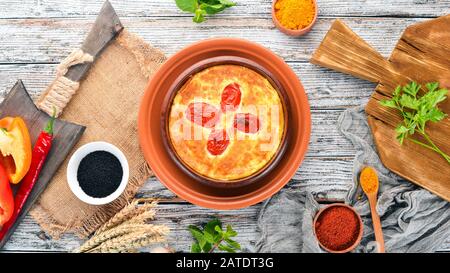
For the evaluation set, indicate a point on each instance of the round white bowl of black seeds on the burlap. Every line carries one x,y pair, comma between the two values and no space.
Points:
98,173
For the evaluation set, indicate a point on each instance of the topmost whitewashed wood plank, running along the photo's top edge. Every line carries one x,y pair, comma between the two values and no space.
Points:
140,8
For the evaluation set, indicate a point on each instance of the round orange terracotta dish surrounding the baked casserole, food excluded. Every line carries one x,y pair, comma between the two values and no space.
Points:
151,125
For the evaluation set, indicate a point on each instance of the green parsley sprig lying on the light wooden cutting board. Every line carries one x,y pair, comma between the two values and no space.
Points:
417,111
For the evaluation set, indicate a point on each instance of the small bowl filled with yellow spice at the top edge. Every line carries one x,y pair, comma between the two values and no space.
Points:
294,17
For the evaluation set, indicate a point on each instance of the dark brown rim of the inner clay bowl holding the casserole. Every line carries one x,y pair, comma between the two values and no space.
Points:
179,83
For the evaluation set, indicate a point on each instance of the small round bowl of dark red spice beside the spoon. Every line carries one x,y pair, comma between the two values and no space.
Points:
338,228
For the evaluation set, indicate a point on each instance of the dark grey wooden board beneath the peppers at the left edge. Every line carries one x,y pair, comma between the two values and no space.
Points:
66,135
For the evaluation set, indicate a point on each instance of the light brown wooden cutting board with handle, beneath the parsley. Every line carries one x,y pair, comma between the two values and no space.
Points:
422,54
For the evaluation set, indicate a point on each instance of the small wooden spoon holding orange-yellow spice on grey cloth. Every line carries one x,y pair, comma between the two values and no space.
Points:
371,191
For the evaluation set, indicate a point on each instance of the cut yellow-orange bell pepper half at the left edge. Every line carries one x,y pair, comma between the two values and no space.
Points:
15,148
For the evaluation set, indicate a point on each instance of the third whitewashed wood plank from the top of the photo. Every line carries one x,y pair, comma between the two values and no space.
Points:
326,89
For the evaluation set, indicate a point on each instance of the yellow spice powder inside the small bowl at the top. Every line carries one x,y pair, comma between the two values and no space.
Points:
295,14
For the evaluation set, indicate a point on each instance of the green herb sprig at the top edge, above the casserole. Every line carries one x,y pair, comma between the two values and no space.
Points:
201,8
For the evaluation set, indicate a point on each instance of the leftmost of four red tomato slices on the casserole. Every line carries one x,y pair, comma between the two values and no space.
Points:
203,114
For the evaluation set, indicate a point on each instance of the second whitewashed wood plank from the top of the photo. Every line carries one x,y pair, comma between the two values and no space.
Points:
51,40
